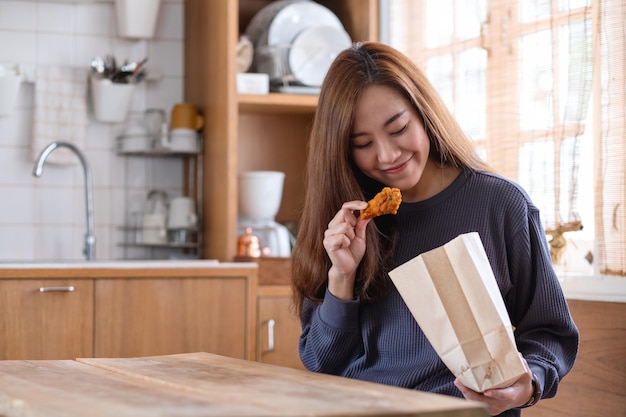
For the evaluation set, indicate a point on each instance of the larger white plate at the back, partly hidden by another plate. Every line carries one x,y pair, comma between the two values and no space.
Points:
294,17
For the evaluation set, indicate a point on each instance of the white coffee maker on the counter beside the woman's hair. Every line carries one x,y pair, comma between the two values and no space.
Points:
260,195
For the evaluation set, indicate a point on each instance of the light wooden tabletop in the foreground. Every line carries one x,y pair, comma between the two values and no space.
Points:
203,384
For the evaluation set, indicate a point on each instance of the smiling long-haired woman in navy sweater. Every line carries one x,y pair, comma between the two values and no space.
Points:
379,122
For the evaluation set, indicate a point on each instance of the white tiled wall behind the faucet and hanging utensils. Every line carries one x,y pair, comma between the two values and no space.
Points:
44,218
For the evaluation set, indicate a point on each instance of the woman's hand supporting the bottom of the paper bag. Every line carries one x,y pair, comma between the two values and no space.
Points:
498,400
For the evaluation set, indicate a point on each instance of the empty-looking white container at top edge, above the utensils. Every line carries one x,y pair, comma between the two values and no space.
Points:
137,18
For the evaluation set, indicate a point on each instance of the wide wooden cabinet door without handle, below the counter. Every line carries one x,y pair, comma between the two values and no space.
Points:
146,317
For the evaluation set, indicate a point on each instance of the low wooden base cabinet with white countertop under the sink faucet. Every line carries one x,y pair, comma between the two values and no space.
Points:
126,309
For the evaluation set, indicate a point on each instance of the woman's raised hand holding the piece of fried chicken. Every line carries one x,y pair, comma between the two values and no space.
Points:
344,241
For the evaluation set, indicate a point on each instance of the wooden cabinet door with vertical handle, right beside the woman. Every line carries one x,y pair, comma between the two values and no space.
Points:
278,330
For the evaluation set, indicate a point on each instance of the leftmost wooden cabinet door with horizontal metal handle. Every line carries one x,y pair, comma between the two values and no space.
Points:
46,319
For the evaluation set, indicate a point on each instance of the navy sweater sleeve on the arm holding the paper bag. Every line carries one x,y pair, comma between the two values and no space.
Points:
544,330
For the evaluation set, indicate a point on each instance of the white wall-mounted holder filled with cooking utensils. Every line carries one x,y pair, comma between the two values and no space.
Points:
110,100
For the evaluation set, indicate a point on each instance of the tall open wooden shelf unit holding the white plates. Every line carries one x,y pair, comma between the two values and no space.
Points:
248,132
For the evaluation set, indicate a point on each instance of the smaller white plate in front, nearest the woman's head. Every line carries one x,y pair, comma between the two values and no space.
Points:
314,50
